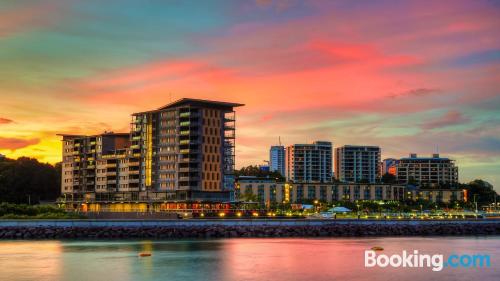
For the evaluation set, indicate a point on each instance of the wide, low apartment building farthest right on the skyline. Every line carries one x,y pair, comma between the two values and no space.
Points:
427,170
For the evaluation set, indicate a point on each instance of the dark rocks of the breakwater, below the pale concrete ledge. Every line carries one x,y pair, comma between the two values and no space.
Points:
229,231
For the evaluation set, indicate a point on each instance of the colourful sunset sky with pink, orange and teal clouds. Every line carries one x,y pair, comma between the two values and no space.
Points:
409,76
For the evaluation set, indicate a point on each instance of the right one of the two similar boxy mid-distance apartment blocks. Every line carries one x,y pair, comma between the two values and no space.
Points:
357,163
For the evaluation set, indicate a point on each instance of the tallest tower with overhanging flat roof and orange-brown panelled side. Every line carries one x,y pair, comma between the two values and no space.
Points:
187,149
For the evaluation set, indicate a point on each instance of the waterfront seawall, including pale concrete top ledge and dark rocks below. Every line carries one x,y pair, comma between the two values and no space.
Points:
178,229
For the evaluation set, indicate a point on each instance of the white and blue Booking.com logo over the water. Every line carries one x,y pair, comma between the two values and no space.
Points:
417,260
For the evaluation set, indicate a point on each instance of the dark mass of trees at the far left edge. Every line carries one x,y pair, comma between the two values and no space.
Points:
26,180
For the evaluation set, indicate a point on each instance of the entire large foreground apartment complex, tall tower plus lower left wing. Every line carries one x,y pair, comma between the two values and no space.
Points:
184,150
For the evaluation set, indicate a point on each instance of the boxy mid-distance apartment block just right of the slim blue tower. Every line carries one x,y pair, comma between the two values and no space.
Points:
309,162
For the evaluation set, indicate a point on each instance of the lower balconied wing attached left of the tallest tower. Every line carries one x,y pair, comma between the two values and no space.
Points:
99,163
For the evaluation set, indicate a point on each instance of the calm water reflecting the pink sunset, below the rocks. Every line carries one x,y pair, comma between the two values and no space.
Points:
234,259
